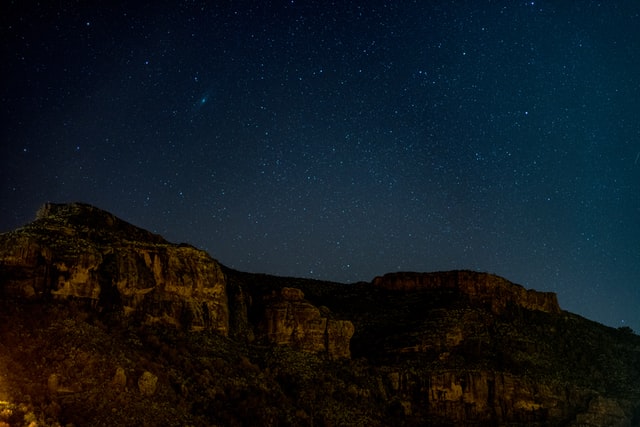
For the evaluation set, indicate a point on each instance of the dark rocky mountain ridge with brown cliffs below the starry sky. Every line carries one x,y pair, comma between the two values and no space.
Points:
104,323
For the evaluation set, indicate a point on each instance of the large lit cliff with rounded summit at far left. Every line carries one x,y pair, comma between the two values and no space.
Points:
76,251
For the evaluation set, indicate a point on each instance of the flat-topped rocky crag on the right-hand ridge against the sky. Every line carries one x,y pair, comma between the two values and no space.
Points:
484,288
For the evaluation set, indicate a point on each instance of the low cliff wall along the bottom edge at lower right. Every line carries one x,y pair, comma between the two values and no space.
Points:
484,397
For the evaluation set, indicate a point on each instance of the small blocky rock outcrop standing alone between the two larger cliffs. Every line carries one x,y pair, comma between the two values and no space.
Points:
291,320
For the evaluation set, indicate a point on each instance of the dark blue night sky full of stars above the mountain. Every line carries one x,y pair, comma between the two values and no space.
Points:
344,140
